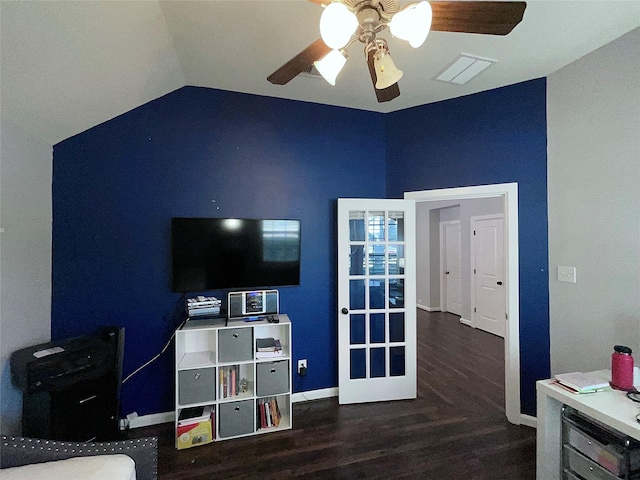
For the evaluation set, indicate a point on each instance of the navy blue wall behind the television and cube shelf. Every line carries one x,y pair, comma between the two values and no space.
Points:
203,153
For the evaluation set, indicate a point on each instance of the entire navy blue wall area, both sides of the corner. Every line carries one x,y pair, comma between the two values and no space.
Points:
204,152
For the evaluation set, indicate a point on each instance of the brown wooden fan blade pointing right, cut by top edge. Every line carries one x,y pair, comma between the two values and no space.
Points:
489,18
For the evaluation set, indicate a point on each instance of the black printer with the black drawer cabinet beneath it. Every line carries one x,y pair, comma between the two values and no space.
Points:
71,387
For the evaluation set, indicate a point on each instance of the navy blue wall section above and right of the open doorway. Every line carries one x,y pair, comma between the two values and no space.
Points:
499,136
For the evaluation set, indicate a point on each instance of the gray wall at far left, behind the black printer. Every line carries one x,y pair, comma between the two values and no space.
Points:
25,256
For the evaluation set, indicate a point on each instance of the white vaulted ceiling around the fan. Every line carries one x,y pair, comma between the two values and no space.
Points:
67,66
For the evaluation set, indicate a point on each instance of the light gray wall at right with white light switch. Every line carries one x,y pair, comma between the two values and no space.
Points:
593,110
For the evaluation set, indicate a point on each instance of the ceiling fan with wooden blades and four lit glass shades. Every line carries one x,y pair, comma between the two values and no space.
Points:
344,22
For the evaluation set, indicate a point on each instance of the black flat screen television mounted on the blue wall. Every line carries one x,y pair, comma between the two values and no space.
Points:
233,253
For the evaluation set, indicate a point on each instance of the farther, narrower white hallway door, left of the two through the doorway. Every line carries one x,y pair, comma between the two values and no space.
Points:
451,267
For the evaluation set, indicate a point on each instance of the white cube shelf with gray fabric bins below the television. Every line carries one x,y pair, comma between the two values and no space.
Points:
225,388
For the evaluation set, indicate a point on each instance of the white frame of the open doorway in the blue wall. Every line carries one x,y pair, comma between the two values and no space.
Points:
509,193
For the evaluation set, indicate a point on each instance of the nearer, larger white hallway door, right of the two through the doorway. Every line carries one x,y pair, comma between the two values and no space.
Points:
488,283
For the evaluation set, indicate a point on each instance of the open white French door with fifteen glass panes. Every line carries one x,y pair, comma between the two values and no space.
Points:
376,300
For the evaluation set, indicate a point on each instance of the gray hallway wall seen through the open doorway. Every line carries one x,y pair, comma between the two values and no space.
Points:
428,218
